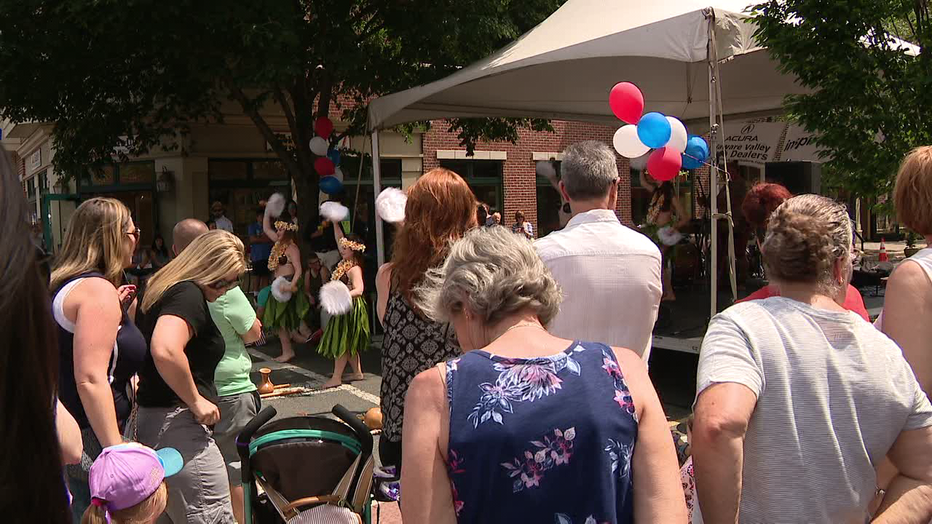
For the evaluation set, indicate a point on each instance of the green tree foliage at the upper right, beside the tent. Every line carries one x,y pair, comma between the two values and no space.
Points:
871,100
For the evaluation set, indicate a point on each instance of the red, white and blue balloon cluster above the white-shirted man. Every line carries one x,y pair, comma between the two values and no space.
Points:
673,148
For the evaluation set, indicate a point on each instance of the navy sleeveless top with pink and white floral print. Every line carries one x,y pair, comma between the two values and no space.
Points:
546,439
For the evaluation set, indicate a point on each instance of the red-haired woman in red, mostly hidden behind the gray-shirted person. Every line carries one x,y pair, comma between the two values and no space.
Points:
758,205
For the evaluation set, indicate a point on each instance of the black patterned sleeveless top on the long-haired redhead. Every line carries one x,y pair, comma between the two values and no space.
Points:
411,344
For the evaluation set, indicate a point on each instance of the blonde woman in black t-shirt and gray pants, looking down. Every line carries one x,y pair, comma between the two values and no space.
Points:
177,395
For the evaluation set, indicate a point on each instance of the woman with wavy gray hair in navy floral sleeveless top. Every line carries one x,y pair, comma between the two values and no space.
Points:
525,426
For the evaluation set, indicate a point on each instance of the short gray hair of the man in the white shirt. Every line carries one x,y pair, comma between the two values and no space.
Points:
588,170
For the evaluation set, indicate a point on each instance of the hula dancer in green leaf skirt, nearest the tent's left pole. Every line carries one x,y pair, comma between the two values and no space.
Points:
347,333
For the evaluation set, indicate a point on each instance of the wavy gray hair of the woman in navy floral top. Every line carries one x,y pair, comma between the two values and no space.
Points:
493,273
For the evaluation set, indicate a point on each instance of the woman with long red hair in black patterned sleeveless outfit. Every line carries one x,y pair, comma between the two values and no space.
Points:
440,209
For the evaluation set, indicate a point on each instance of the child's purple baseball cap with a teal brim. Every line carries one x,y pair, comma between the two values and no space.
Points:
127,474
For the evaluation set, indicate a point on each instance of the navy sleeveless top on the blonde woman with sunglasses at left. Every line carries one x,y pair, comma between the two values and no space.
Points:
129,353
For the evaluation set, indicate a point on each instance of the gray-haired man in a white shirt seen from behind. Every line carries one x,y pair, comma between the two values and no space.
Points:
610,274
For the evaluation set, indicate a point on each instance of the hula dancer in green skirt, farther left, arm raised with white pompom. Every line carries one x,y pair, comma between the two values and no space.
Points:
286,307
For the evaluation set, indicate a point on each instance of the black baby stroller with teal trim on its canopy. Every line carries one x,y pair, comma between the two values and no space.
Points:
311,469
